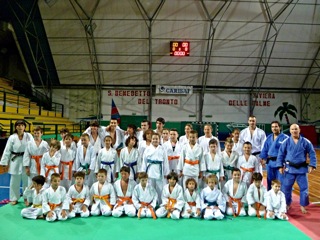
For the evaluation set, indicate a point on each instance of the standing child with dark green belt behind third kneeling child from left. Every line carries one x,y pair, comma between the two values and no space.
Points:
85,159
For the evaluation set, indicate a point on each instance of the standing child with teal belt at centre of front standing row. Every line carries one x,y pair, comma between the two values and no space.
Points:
155,163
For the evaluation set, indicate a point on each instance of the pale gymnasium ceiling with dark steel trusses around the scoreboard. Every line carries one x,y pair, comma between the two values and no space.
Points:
249,44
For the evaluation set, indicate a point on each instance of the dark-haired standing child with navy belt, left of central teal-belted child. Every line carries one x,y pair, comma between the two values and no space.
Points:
130,157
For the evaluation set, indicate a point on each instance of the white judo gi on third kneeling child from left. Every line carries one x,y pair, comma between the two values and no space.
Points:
77,200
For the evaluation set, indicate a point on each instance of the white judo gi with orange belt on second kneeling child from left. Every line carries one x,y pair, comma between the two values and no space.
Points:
56,201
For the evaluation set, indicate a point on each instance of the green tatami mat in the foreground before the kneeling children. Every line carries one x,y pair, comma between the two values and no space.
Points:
13,226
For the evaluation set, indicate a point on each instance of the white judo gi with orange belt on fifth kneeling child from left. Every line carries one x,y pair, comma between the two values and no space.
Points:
124,203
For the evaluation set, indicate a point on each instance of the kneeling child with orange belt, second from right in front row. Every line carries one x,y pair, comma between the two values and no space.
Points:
256,197
